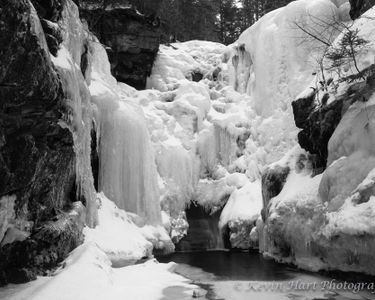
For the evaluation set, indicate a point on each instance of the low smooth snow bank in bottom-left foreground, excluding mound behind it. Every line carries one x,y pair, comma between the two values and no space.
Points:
87,274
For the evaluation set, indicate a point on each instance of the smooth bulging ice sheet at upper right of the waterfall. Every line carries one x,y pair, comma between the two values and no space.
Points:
274,59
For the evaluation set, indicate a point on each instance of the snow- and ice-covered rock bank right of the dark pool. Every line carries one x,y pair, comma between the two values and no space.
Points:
326,221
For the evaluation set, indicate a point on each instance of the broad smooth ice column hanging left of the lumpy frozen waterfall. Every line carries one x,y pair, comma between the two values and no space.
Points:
127,171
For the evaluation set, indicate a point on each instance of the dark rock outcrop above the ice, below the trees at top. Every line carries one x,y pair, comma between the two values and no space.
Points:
132,40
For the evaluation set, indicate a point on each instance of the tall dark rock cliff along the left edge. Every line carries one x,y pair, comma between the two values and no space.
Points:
43,220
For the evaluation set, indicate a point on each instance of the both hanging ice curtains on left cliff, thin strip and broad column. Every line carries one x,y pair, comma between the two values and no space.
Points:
127,168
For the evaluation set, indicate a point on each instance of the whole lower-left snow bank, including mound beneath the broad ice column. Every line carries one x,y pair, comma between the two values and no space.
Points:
99,268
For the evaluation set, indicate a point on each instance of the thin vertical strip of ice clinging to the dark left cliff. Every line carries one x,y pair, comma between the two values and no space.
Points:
75,87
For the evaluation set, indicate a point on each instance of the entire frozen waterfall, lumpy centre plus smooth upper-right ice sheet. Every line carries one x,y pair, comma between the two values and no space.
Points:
237,118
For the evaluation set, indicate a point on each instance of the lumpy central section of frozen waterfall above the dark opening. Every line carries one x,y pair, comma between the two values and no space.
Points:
200,129
